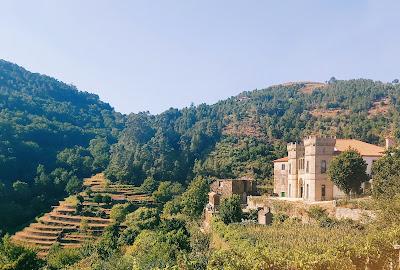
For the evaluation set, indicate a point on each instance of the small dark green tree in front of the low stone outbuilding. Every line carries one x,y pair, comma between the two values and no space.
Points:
231,210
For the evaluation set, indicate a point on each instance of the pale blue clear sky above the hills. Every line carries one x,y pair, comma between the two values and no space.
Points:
152,55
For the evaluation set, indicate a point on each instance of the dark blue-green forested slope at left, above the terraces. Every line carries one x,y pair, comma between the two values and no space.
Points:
51,135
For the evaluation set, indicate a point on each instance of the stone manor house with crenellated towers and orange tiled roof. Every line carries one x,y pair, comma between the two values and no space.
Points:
303,173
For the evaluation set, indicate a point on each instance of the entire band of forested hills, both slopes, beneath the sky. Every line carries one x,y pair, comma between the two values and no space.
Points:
52,135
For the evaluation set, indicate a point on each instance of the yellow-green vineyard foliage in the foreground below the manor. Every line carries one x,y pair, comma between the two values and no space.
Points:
293,245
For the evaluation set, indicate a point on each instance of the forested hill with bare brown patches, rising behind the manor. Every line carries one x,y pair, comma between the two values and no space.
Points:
242,135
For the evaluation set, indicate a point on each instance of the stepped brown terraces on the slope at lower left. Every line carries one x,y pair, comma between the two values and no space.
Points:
79,218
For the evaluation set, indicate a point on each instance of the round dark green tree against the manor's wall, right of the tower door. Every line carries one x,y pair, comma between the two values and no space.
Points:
348,171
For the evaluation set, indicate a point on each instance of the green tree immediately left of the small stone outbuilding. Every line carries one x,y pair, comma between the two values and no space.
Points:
195,197
